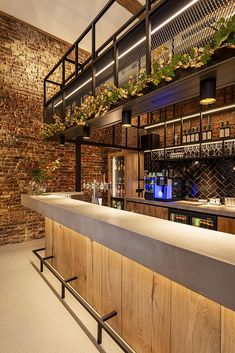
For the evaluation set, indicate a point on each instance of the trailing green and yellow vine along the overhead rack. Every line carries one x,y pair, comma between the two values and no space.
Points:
164,67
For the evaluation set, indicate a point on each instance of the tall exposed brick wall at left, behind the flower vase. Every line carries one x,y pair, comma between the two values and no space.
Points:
26,57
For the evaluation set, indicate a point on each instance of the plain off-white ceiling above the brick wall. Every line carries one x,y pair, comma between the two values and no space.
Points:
66,19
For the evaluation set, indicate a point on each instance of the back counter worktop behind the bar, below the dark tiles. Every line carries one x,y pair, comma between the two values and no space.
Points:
189,206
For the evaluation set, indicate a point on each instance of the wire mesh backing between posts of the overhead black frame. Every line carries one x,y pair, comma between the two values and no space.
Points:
192,28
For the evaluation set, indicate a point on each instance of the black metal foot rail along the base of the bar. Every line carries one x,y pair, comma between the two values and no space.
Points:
101,321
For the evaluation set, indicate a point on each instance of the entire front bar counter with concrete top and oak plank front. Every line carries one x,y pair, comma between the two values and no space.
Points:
172,285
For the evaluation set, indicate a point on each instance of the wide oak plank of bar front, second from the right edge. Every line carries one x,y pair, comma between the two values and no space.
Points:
195,322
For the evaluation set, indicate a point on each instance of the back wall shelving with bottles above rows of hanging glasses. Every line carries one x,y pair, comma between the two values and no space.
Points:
204,134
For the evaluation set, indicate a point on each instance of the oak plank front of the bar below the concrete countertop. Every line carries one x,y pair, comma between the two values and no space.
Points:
155,314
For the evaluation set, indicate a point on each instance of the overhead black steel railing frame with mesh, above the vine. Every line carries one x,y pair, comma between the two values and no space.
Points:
179,25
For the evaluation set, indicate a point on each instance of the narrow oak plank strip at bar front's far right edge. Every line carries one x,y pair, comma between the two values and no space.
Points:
227,331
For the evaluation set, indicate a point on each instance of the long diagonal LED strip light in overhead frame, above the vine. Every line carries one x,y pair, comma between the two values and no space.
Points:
191,3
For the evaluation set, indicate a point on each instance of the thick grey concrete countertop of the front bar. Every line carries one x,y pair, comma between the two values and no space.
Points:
200,259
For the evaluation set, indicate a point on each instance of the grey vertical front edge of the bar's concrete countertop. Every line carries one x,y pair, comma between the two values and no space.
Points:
207,276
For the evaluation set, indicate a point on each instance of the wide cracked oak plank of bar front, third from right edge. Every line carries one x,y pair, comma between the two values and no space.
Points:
146,313
